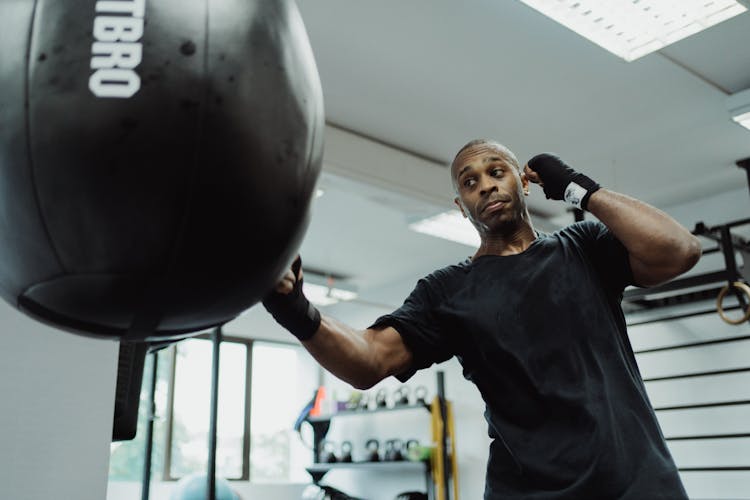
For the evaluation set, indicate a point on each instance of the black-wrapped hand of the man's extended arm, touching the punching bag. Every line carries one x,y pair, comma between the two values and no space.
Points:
293,311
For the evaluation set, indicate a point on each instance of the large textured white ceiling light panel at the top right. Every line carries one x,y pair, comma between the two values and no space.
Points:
633,28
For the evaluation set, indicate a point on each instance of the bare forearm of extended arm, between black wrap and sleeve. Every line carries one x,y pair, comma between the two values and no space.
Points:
345,352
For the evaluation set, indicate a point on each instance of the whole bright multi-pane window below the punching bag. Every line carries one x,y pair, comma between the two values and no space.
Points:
255,436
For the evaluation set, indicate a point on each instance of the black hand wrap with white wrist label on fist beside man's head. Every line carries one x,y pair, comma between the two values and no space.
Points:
560,182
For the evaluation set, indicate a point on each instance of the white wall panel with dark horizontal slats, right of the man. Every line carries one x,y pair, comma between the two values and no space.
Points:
697,374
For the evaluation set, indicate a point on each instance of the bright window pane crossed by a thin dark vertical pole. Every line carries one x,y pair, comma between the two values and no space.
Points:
192,407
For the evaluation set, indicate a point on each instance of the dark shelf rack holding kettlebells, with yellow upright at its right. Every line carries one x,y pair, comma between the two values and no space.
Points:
440,468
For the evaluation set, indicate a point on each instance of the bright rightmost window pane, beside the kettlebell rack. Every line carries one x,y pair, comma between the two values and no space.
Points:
284,379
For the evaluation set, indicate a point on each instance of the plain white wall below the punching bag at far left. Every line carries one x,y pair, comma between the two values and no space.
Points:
57,393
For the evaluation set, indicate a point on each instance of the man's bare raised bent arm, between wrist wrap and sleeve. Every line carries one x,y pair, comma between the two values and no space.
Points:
659,248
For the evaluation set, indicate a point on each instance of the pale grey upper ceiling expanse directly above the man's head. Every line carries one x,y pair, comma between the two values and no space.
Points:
428,75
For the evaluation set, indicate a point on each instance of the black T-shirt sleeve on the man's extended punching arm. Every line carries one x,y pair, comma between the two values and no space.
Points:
418,323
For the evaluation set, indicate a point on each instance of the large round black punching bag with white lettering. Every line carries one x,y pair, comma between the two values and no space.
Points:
157,159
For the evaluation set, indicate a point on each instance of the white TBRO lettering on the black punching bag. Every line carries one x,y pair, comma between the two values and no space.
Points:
117,51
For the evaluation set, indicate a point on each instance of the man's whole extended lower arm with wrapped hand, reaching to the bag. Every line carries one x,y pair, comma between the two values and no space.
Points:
361,358
